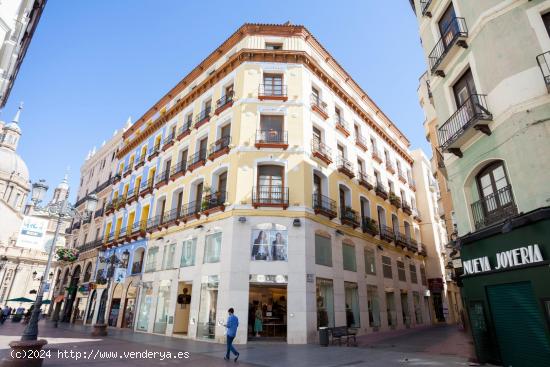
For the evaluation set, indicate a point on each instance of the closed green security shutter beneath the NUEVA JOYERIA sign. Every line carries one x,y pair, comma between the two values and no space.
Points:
519,325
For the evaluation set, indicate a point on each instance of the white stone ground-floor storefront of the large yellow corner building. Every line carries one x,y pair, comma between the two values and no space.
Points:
284,282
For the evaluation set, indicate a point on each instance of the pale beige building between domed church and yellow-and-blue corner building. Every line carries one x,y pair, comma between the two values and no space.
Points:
75,282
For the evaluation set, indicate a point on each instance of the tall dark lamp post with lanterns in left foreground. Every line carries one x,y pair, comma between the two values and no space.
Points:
61,210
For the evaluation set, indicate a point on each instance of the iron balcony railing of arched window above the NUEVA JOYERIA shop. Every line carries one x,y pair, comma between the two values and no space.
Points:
494,208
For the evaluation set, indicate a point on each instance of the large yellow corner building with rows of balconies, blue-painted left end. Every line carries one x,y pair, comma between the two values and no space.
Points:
268,181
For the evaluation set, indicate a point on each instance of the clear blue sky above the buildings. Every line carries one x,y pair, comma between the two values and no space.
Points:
91,64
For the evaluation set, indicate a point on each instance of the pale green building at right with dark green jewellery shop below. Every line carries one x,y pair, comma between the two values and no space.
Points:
488,76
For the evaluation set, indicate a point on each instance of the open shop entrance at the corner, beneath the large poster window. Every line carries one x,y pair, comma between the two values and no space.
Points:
267,306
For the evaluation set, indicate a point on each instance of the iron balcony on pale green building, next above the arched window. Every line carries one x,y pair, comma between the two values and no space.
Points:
470,117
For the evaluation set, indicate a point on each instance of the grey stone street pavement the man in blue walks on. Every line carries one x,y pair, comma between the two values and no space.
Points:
416,347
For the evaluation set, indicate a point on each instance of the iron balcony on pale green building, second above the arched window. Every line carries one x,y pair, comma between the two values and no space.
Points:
455,35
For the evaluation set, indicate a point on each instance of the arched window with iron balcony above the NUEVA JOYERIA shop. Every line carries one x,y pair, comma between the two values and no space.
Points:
496,201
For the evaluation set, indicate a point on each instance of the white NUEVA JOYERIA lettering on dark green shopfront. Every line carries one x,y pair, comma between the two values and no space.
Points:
506,259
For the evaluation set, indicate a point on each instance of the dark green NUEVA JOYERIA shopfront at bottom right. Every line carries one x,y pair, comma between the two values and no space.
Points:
506,290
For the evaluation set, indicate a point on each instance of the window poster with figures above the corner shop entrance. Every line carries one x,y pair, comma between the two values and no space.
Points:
269,245
